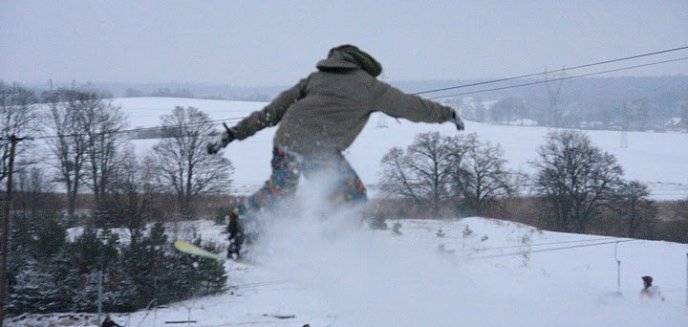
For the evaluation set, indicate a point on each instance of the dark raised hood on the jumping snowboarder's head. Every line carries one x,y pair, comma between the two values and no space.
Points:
348,57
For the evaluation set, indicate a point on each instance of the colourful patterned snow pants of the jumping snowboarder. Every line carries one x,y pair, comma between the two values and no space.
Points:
286,171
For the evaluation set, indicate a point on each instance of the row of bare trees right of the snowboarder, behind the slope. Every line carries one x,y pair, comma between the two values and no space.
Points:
575,187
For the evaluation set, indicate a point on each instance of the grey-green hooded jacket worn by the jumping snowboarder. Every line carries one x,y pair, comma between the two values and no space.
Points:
325,112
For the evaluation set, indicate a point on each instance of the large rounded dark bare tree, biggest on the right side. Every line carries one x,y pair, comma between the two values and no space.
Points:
574,179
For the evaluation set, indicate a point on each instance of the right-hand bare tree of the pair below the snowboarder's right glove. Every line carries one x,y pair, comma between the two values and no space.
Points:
481,176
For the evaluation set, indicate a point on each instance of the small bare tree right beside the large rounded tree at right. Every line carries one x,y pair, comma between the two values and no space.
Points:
632,204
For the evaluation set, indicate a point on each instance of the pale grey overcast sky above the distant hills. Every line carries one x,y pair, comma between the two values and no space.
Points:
278,42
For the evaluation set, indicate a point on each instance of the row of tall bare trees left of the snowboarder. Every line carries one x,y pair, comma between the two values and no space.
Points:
88,151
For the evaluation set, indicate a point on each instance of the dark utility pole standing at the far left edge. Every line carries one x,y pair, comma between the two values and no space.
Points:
6,226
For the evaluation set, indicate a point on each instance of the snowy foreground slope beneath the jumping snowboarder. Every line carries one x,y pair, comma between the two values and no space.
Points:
477,272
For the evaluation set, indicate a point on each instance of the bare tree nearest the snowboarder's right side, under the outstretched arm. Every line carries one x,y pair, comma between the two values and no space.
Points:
422,173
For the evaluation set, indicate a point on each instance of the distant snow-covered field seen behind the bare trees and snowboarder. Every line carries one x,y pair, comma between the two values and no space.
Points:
658,159
